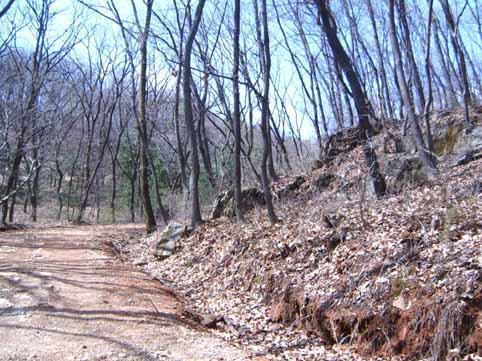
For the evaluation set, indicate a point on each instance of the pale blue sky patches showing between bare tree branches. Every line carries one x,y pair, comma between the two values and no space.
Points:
71,12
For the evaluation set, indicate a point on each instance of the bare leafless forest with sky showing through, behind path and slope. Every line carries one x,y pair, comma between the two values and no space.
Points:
139,110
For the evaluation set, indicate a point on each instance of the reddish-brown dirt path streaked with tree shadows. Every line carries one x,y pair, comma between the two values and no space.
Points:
63,297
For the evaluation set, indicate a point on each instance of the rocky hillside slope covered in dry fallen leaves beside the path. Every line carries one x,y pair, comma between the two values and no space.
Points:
344,273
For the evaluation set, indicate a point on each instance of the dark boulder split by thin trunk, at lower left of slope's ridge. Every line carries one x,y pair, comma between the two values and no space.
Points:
224,202
